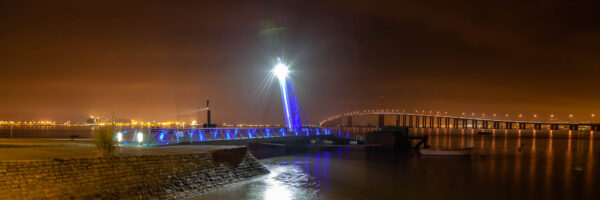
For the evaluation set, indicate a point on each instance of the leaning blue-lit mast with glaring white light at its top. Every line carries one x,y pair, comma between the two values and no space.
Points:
288,96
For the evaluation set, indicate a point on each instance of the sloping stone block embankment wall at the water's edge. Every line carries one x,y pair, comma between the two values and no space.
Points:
126,177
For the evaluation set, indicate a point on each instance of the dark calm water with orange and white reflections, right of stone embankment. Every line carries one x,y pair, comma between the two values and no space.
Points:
511,165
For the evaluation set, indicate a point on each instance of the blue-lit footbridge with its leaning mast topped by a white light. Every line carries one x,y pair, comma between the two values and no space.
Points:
240,135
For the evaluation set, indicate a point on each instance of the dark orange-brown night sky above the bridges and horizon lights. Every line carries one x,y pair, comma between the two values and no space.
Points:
157,60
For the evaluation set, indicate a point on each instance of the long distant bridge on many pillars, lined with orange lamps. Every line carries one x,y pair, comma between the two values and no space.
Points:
416,120
